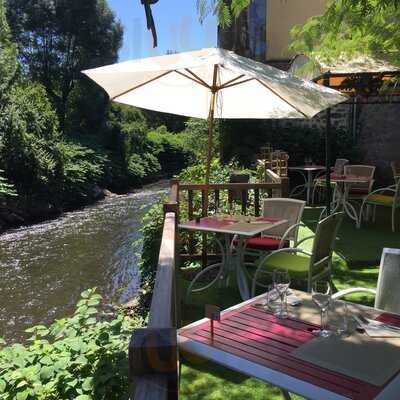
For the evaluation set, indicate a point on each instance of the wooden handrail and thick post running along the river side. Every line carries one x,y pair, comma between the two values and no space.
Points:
153,353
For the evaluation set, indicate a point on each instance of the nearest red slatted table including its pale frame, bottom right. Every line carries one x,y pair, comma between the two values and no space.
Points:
258,344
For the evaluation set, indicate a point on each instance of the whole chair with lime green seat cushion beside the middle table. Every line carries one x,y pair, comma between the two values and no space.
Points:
302,264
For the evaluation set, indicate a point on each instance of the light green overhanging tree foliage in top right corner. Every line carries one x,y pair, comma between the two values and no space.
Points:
349,27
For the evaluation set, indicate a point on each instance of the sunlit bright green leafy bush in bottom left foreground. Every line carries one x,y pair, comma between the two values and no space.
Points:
83,357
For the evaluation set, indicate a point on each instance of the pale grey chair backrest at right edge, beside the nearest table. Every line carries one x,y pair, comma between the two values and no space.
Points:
388,287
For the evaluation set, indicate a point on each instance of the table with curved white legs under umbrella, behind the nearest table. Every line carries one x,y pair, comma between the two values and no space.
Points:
228,227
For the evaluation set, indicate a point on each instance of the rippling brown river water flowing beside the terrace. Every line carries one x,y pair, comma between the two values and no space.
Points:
45,267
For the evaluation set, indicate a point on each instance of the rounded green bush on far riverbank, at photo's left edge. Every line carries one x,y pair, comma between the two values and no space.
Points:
28,147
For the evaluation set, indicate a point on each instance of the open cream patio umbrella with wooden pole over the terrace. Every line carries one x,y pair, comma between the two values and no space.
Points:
213,83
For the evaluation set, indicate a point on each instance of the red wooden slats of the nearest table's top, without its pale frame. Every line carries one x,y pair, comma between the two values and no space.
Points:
260,337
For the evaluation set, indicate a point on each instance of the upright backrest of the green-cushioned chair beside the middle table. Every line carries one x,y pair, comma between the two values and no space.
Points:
325,237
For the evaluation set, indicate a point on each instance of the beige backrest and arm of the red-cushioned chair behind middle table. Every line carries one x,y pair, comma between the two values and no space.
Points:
289,209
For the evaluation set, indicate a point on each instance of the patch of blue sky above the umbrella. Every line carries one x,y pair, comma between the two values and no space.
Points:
177,23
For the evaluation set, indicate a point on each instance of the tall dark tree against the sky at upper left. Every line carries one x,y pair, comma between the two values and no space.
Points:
56,40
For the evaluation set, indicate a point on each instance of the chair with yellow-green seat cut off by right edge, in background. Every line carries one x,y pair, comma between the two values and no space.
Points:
384,197
